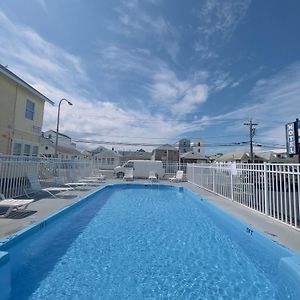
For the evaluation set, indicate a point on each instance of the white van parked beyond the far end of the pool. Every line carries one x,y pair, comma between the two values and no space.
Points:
141,168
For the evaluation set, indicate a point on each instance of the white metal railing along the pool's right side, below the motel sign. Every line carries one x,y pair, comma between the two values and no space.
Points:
272,189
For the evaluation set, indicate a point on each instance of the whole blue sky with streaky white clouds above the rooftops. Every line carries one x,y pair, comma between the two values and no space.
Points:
154,71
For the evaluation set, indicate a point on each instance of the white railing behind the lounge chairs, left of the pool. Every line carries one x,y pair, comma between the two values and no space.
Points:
13,170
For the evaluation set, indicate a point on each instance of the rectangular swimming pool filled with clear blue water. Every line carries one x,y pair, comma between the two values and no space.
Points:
147,242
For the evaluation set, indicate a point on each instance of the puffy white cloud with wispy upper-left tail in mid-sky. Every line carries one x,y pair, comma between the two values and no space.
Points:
164,87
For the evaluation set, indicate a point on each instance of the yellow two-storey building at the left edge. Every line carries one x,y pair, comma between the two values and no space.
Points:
21,115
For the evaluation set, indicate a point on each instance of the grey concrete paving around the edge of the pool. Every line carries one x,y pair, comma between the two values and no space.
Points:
45,206
